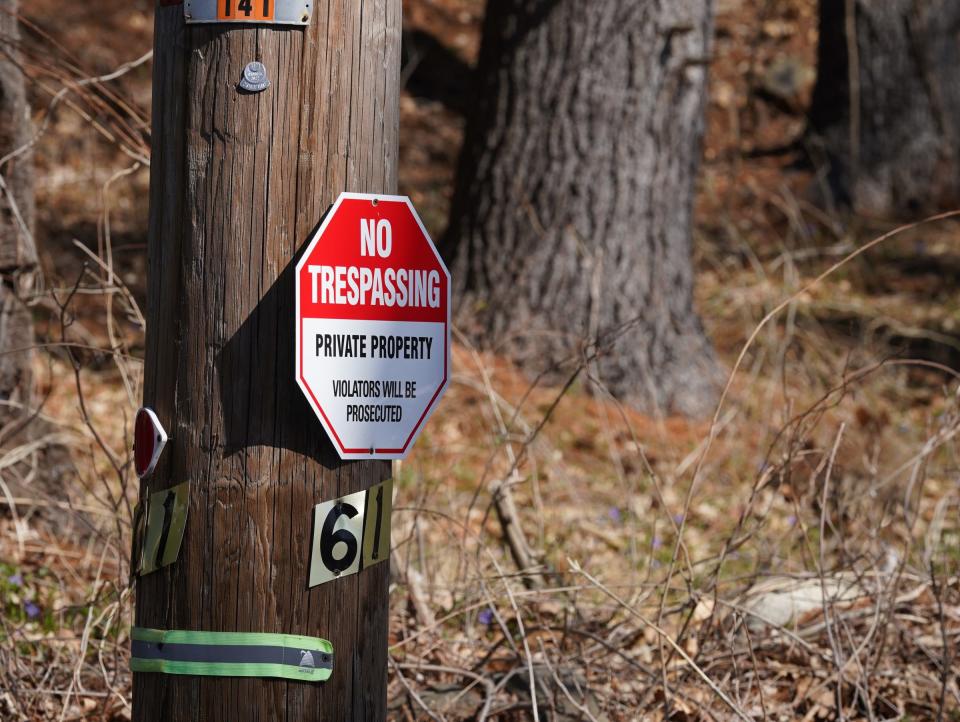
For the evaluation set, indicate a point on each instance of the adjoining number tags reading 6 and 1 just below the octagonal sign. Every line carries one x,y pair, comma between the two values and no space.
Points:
351,533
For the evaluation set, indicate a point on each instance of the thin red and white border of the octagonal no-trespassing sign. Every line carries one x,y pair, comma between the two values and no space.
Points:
353,453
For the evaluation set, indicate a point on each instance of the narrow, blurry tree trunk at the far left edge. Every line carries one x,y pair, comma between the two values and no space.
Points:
18,255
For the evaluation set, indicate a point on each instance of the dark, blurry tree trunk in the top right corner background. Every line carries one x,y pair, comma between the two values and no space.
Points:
886,106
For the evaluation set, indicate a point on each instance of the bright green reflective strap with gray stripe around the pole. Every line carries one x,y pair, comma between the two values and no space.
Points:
231,654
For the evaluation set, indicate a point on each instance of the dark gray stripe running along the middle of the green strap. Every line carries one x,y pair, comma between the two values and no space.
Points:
231,654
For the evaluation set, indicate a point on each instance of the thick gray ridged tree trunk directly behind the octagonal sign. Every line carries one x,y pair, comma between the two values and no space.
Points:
571,221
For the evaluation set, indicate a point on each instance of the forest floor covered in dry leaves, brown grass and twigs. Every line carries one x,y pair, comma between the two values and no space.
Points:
795,557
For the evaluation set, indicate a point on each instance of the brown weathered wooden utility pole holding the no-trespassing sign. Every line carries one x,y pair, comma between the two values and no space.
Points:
238,182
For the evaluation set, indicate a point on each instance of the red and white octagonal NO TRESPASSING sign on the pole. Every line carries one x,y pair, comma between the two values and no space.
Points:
372,325
